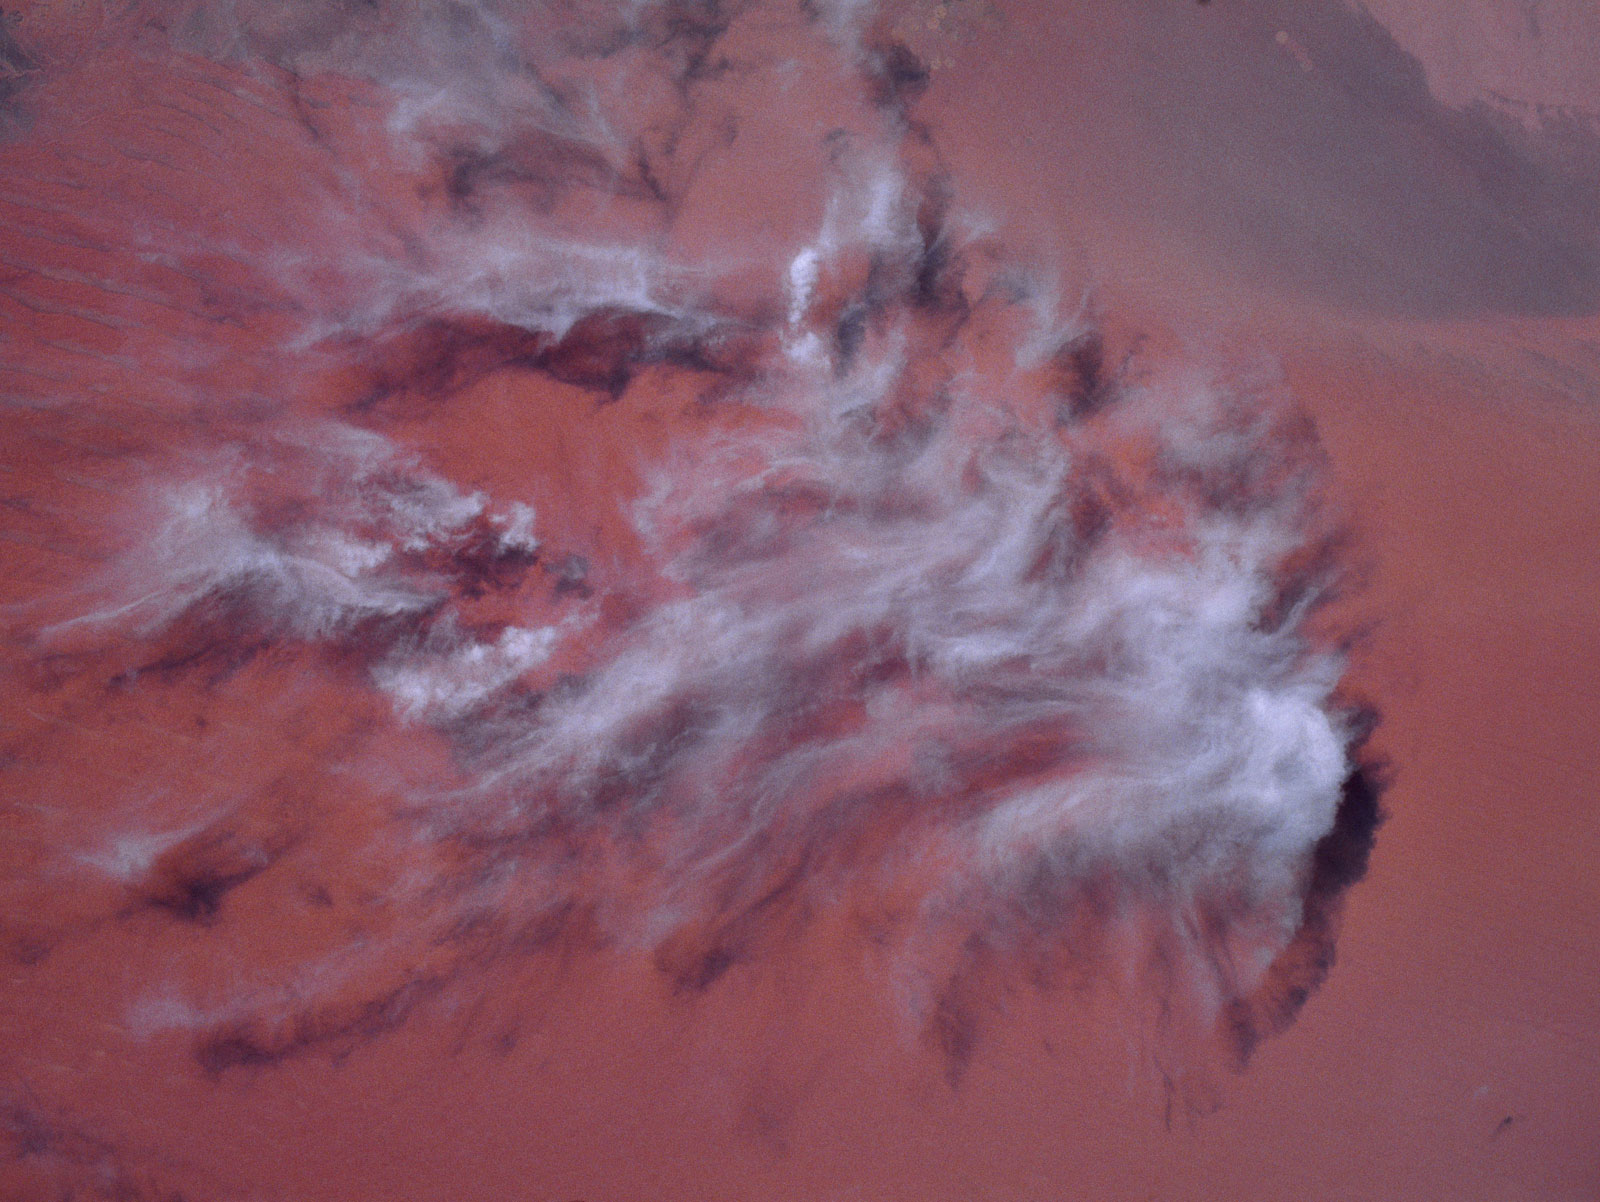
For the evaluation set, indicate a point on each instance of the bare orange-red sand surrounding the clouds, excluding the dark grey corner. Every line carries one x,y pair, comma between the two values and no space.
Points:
1454,1052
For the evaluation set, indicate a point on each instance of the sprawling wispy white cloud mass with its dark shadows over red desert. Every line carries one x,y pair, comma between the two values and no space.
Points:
641,523
